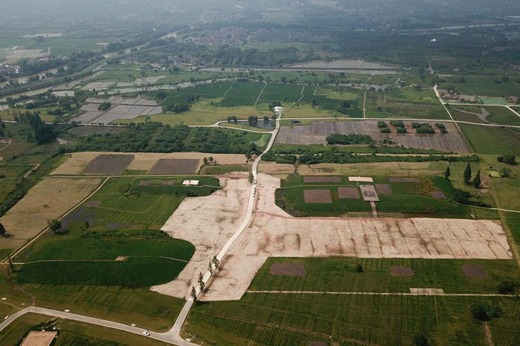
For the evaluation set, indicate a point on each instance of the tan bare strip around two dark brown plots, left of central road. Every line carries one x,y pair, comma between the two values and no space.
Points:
142,161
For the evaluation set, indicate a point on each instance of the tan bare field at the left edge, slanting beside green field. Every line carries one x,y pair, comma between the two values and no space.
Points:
48,200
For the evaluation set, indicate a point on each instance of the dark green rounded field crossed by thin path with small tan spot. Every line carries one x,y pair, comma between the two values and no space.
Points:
106,258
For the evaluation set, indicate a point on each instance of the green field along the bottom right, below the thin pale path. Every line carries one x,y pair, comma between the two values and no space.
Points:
297,319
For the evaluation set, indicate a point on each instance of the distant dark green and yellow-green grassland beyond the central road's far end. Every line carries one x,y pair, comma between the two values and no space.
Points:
241,98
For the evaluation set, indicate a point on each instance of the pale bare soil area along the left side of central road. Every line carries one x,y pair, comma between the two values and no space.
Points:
207,223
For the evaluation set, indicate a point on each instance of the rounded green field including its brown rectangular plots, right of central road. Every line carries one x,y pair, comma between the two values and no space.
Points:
421,198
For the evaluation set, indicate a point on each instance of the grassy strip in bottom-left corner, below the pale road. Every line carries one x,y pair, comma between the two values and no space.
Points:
71,333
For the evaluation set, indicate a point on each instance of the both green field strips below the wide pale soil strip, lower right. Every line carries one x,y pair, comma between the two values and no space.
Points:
298,319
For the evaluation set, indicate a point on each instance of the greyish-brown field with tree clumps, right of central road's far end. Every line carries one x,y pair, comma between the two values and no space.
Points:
317,132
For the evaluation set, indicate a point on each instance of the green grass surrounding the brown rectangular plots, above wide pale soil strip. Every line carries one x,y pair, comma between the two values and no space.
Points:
410,199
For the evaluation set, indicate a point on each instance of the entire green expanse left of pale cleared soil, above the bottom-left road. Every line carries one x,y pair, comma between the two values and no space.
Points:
79,270
